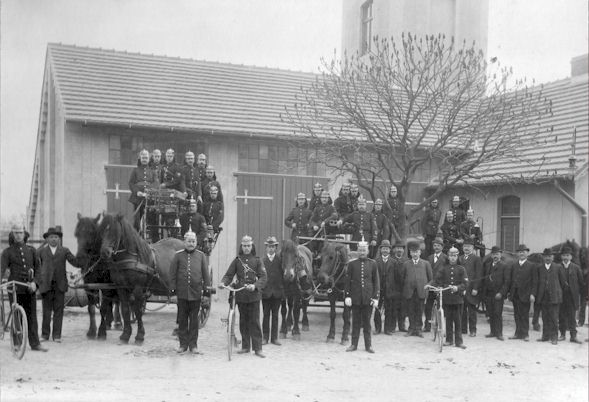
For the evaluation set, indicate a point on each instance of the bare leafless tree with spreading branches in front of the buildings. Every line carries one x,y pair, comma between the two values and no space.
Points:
419,105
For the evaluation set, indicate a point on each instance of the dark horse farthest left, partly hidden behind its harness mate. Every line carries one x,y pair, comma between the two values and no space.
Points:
94,271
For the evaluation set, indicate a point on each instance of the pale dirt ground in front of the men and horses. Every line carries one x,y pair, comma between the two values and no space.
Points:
407,369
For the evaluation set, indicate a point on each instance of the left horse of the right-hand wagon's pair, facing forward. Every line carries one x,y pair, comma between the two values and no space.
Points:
298,278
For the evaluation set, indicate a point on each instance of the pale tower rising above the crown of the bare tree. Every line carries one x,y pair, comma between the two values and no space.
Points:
461,19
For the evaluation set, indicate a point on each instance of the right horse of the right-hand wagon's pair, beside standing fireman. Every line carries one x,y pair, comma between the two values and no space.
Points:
334,263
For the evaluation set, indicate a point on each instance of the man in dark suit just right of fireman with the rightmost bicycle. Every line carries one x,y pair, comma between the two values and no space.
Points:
474,270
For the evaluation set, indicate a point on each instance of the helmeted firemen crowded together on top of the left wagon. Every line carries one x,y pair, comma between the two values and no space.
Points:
192,183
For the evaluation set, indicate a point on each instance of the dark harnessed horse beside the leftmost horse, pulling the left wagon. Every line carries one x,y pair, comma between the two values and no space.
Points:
136,269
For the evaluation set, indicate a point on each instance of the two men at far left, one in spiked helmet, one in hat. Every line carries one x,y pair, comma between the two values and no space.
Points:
43,270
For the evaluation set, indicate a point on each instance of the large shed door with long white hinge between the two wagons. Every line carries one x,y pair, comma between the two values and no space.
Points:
264,201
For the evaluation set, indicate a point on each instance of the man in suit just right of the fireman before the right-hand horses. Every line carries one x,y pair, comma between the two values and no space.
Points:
384,263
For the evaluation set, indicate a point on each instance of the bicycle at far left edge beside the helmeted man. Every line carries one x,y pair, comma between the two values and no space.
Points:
17,320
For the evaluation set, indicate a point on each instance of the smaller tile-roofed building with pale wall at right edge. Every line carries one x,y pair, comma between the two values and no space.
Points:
545,202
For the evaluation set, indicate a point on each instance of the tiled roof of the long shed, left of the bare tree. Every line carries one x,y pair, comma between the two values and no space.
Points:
112,87
